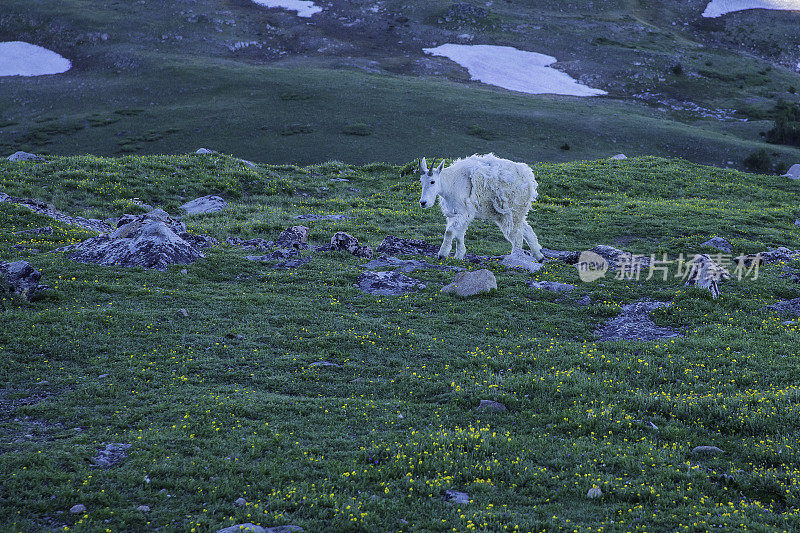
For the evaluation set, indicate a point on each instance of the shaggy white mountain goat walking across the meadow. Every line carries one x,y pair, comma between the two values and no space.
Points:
485,187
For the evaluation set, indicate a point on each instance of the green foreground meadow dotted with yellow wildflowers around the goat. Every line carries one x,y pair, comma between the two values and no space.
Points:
224,404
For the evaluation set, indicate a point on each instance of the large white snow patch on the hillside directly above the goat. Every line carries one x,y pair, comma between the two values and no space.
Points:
513,69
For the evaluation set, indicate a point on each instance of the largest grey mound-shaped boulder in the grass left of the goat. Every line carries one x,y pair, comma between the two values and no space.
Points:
152,241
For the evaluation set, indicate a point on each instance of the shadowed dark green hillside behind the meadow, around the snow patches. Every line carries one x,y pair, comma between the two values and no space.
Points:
169,76
